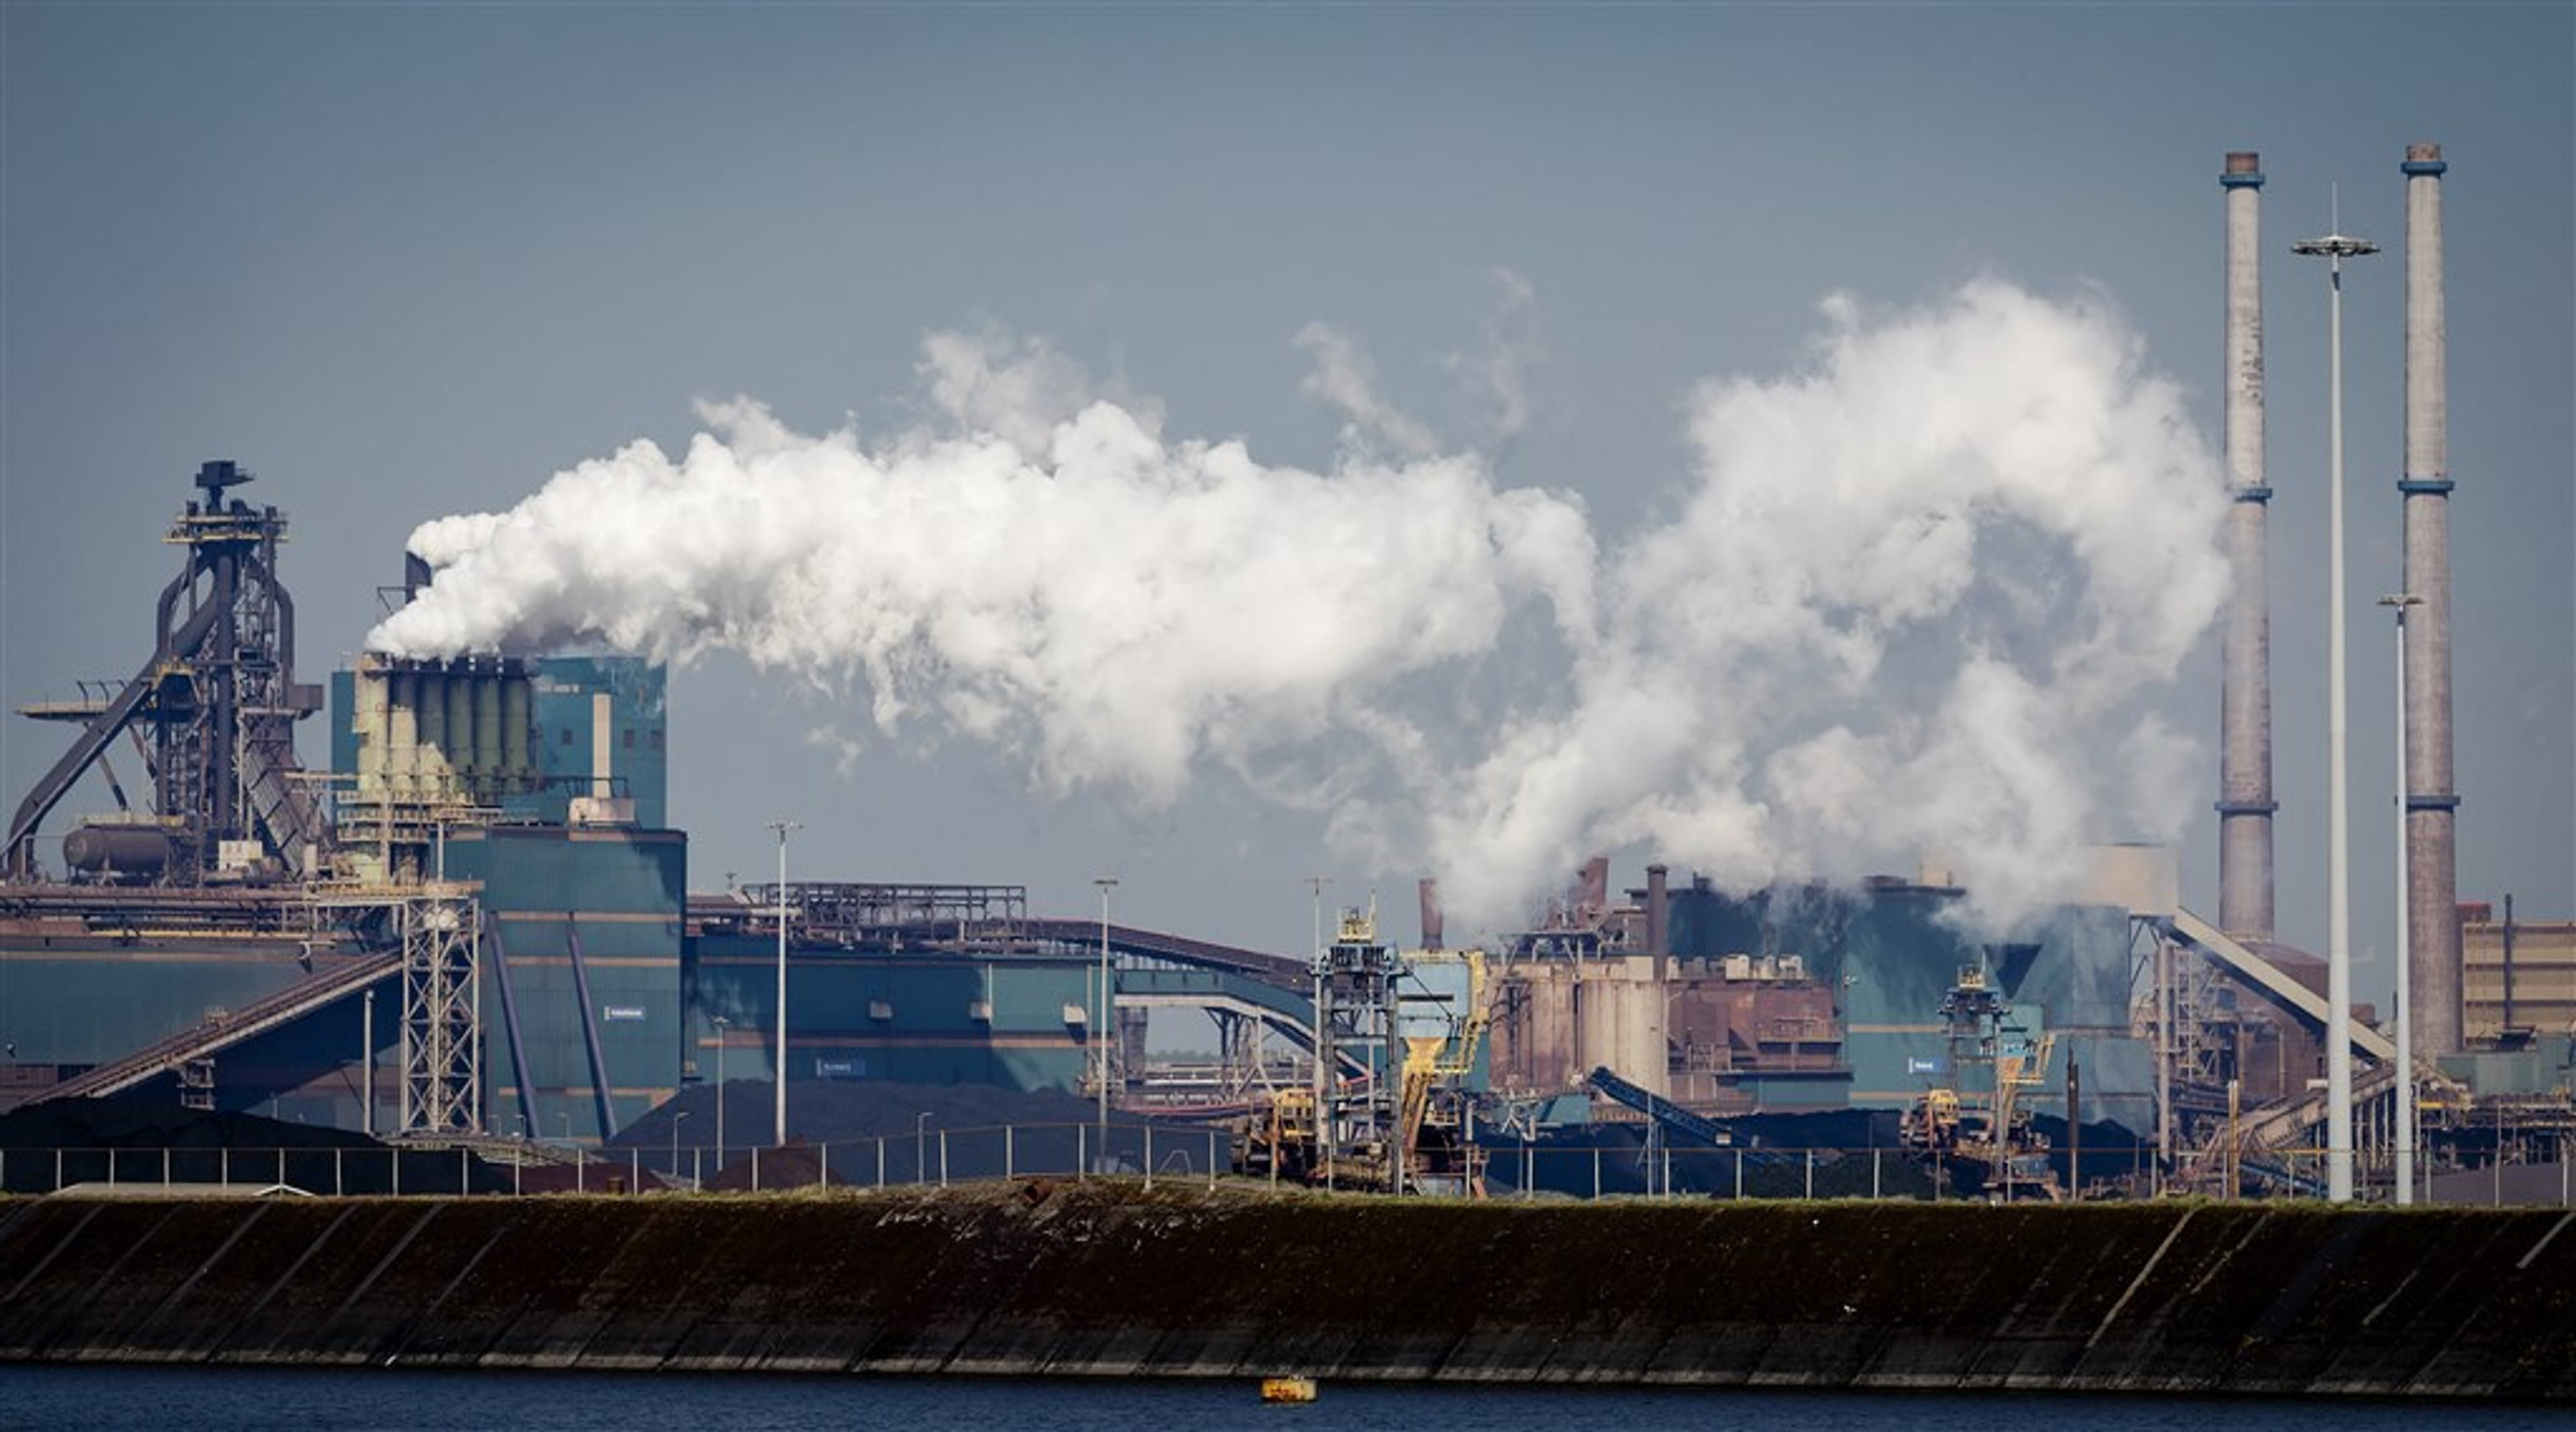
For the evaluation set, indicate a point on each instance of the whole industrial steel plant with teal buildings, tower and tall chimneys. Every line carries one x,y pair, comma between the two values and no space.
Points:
478,928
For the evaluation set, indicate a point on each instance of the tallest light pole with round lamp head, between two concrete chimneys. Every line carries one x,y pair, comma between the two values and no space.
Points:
2335,251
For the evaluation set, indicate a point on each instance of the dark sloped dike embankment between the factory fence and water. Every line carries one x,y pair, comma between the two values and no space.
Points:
1106,1279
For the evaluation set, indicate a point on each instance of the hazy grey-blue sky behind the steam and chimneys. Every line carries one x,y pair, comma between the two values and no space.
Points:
411,261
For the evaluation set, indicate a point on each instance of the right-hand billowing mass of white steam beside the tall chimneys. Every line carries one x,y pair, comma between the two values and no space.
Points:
1913,607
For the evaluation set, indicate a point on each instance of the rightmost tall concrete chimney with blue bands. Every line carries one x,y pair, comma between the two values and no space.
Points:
2433,864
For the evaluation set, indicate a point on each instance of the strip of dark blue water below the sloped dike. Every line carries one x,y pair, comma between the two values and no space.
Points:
223,1400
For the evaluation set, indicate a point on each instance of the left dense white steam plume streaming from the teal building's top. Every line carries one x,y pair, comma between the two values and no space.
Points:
1073,589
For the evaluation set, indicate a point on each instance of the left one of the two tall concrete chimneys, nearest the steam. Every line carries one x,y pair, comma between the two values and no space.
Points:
2245,699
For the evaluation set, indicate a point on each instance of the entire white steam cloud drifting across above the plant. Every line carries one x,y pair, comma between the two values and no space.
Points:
1915,599
